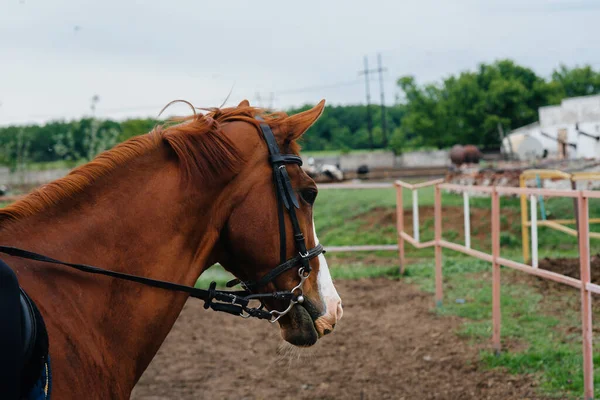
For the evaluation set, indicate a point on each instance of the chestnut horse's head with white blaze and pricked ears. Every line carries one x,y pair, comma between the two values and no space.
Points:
251,240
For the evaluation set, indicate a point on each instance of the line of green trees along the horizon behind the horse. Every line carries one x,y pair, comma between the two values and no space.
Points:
466,108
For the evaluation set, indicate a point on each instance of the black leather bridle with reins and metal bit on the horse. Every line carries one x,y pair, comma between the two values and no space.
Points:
235,302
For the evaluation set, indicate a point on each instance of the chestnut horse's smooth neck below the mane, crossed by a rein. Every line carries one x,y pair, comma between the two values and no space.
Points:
134,220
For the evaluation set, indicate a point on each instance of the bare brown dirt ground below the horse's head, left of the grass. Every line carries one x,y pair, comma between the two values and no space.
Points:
389,345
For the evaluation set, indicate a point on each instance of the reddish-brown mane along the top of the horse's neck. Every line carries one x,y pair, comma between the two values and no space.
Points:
203,153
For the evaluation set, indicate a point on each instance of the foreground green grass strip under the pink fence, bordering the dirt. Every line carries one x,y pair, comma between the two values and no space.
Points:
549,343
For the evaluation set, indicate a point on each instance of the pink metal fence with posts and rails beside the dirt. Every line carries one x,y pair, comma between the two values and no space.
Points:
584,285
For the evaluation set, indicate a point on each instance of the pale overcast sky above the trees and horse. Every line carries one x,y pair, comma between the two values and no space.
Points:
138,55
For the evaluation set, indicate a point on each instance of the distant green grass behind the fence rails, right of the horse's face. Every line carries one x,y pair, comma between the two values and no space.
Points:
340,221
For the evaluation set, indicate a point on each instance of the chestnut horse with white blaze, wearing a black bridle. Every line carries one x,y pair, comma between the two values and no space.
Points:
166,206
